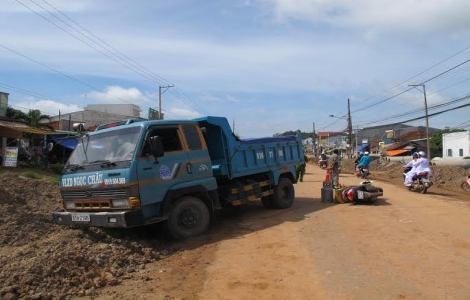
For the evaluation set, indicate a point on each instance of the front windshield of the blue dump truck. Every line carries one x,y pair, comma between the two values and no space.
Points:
112,146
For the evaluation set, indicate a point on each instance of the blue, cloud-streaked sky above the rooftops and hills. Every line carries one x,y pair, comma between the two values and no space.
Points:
268,66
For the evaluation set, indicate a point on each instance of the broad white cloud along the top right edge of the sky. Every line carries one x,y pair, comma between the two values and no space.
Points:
416,15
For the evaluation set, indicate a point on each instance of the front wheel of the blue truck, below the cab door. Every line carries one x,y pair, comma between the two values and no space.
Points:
189,217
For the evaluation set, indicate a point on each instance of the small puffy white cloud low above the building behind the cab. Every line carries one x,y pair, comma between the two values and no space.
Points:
119,95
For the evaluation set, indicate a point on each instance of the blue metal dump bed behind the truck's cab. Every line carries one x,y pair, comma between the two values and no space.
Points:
232,157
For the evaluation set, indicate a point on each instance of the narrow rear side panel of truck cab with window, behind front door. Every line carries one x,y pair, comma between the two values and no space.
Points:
200,163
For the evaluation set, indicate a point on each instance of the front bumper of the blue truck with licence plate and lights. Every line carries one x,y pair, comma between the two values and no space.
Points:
121,219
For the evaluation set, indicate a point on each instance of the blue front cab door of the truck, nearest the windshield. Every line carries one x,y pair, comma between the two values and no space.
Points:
156,176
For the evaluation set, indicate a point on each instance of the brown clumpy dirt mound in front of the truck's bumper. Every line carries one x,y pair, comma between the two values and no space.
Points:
41,260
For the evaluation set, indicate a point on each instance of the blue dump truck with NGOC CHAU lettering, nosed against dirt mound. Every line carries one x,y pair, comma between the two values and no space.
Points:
138,172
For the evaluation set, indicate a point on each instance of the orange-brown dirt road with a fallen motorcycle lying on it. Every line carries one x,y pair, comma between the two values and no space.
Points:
406,246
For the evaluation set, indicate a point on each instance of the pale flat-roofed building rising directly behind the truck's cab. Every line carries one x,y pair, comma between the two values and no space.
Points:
96,114
